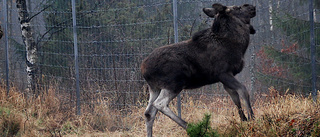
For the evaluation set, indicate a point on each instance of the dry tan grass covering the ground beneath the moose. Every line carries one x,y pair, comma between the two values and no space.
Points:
288,115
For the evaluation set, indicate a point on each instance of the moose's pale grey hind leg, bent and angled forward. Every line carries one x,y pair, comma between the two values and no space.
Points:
161,103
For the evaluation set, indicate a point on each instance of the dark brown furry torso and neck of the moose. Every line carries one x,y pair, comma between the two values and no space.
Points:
197,62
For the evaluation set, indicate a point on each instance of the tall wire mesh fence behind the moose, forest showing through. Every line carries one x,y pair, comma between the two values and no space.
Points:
114,36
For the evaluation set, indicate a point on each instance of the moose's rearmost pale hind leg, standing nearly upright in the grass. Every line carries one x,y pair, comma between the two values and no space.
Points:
151,111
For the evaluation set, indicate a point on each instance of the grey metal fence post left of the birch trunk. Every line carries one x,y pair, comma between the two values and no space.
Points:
5,9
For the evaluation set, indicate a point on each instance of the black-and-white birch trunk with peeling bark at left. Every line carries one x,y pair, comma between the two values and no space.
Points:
31,47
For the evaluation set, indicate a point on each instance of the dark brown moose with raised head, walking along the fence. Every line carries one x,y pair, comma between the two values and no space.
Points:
212,55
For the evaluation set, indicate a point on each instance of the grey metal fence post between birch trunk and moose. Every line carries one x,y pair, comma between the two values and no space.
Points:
75,45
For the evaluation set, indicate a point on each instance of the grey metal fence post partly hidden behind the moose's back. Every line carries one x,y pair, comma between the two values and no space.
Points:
176,40
